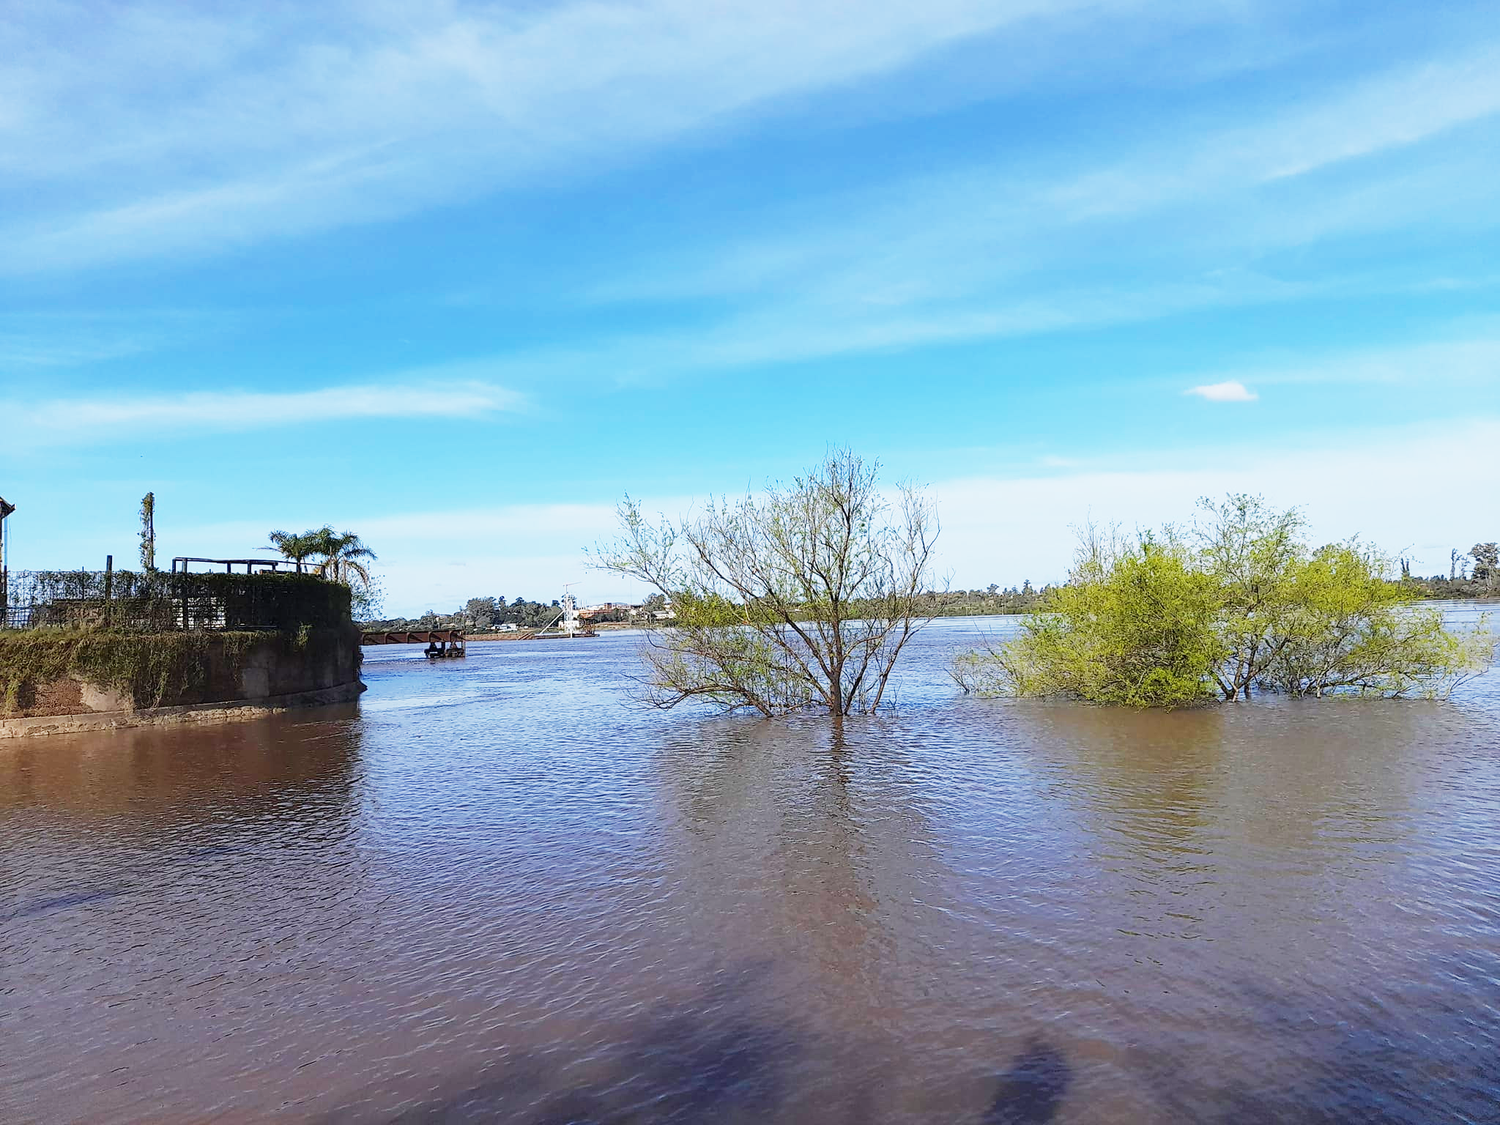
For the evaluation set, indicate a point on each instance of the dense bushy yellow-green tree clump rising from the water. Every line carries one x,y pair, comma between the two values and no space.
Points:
1244,604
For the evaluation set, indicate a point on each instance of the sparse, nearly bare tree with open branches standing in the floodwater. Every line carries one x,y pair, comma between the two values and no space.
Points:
800,598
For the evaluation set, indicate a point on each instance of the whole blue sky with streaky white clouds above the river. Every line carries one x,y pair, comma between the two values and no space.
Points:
458,275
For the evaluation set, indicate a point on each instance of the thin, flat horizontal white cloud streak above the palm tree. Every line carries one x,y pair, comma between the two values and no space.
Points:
79,421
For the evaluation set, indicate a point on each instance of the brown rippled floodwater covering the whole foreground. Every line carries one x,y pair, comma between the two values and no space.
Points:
499,890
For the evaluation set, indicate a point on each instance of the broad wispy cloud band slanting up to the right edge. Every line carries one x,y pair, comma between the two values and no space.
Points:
1136,229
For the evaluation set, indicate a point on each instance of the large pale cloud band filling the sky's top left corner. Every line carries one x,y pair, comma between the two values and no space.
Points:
179,131
